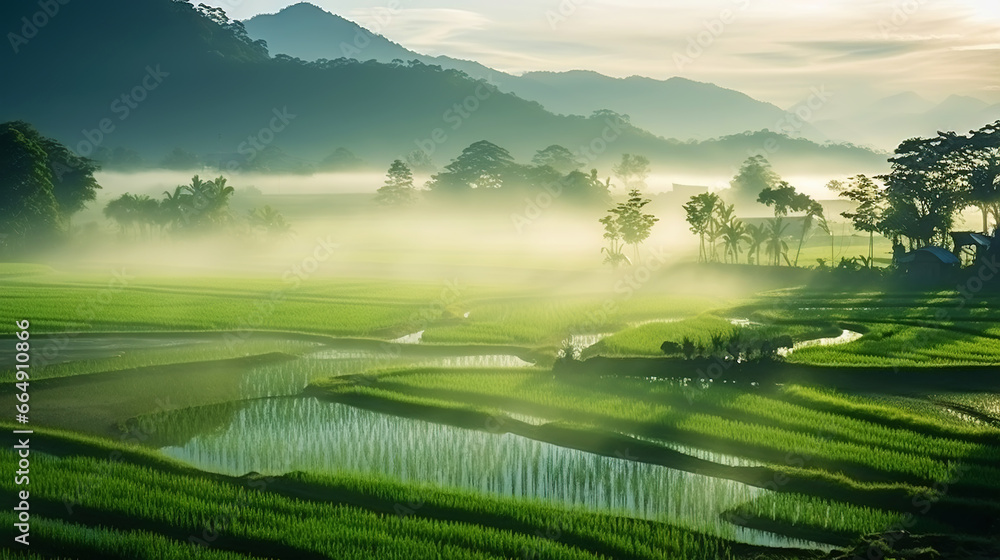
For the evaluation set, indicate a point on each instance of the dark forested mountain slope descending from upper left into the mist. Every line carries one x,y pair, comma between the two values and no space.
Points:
162,74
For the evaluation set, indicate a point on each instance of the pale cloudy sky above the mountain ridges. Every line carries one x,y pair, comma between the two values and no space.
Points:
774,50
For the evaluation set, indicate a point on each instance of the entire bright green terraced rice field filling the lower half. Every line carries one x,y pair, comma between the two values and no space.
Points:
169,362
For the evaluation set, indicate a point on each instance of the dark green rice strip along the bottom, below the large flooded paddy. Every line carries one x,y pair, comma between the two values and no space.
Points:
243,519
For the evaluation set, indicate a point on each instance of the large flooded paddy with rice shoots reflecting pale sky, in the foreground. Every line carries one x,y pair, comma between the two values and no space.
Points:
276,436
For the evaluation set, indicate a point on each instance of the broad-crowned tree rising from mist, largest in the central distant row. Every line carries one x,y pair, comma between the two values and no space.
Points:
483,165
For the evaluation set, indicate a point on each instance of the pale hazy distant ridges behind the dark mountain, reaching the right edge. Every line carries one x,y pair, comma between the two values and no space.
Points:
672,108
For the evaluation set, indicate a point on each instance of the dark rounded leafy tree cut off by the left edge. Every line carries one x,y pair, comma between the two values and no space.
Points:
28,206
